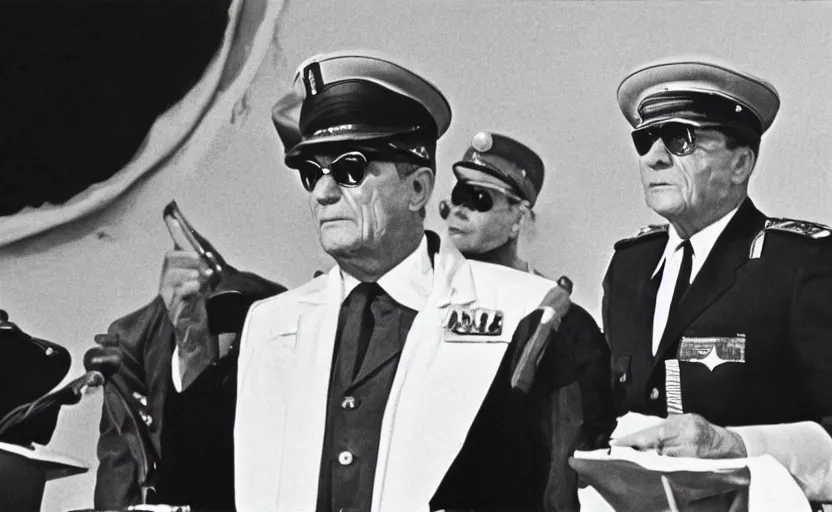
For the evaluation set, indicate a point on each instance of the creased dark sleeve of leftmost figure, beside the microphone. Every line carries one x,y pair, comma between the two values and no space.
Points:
119,447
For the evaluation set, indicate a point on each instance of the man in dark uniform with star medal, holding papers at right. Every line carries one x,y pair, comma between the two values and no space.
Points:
721,321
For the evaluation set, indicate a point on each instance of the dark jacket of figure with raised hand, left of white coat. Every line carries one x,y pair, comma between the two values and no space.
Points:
146,341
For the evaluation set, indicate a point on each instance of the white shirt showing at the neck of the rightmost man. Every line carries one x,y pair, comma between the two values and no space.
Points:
702,242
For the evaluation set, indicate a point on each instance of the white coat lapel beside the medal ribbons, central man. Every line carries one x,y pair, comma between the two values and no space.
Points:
436,394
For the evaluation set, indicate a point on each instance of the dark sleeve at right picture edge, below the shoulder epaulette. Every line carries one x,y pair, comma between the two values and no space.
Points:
811,331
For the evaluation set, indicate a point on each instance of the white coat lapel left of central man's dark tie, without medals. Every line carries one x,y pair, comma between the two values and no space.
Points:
306,411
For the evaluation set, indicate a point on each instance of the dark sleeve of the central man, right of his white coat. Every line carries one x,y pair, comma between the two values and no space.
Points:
556,415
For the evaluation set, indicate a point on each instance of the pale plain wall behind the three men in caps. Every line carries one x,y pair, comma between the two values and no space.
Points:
545,72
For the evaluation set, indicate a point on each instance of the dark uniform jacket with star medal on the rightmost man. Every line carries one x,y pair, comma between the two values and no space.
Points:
780,301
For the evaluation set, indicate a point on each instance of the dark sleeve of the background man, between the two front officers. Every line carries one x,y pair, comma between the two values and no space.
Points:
592,360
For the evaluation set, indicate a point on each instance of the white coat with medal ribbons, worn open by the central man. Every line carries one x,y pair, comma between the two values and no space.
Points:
442,379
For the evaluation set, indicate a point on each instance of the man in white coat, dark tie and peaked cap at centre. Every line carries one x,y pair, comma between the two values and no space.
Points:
386,384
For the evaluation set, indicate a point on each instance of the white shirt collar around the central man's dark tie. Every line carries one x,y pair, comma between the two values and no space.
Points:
409,283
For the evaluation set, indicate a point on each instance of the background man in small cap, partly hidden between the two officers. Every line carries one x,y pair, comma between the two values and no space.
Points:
498,183
